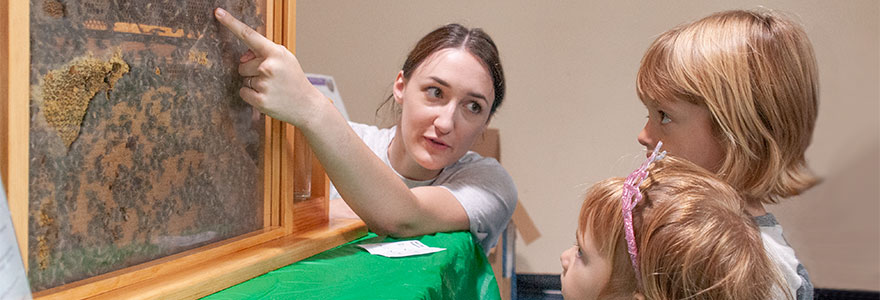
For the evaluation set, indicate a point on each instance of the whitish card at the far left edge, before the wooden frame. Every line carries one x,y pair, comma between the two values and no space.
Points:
13,280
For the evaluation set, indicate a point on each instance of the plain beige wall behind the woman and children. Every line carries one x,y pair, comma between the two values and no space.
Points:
571,115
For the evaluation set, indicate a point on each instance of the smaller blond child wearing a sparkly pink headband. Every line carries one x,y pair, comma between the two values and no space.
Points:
680,234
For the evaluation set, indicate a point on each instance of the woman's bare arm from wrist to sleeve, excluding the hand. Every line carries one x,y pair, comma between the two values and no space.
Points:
372,189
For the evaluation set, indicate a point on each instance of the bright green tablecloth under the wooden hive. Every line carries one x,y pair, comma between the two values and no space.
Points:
350,272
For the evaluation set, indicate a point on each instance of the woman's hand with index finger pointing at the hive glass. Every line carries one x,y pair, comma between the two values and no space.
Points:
274,82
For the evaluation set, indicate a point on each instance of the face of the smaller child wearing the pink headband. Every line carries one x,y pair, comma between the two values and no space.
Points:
584,272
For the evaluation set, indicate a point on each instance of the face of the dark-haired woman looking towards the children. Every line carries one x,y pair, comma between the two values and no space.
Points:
445,107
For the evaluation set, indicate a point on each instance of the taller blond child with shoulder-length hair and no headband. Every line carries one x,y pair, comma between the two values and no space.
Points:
737,93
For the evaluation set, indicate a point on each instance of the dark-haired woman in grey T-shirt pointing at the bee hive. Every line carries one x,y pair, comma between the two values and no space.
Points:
450,86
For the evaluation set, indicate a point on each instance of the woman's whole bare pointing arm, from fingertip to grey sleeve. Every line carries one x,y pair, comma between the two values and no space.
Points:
280,89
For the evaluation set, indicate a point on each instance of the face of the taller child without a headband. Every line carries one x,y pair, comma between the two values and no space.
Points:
686,131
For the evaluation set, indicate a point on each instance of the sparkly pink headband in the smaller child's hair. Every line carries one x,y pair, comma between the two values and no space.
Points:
631,197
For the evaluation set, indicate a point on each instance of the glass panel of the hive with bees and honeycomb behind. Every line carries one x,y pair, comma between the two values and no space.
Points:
140,146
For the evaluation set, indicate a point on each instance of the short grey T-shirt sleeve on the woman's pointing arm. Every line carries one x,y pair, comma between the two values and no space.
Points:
488,196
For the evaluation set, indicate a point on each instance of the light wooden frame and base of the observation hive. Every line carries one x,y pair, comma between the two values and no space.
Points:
293,230
